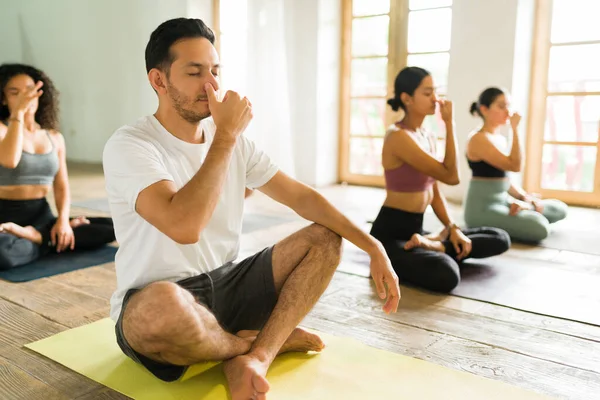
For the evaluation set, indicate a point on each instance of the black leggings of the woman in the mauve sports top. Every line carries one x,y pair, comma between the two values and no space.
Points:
430,269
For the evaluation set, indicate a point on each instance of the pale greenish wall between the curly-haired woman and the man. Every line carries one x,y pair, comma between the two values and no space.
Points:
94,53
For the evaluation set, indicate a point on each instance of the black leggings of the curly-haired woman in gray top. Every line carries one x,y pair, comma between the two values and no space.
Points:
16,251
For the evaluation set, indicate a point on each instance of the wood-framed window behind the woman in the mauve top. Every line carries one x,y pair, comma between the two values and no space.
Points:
379,38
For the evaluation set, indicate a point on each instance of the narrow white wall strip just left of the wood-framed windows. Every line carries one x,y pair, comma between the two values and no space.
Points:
314,66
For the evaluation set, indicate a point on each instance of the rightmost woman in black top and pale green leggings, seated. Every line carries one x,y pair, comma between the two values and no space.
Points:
492,199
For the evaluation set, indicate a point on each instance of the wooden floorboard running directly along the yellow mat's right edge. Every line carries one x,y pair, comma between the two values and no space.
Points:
465,355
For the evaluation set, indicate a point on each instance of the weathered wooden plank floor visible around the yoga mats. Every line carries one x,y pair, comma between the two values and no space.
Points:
548,355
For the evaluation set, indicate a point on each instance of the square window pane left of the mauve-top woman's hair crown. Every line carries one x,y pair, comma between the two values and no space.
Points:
369,77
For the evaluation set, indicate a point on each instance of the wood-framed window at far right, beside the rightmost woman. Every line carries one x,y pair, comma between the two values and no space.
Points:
563,145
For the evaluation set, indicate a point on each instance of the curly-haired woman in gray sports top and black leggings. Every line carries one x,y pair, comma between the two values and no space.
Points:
32,161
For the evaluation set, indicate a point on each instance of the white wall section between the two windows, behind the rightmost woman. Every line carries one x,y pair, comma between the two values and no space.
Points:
491,46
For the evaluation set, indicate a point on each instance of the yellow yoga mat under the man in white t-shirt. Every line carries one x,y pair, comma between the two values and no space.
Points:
346,369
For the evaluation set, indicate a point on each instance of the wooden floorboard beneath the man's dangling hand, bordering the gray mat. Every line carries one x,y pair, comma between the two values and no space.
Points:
416,311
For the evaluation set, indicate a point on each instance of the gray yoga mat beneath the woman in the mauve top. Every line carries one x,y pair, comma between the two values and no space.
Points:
541,287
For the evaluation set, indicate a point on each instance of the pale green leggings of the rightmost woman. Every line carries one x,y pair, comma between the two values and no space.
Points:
487,205
